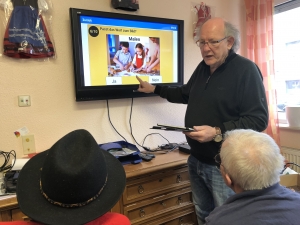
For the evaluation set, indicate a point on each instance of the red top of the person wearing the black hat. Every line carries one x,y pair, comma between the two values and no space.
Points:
107,219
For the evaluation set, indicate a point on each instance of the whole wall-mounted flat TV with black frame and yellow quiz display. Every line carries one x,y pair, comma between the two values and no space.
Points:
111,49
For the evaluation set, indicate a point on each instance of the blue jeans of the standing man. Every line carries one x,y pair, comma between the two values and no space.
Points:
208,188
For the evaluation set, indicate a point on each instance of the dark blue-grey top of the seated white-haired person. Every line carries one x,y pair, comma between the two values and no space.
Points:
275,205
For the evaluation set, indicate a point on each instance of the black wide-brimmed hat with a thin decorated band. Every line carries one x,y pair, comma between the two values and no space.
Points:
73,182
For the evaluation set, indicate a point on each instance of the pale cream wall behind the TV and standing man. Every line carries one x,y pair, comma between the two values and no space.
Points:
54,111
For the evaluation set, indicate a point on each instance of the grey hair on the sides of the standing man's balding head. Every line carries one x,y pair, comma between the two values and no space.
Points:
230,31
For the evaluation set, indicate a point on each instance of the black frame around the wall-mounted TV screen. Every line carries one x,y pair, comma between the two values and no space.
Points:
84,93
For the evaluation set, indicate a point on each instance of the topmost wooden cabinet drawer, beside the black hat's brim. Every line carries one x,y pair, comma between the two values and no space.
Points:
155,184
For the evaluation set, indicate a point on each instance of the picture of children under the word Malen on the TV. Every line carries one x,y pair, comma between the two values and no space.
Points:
131,56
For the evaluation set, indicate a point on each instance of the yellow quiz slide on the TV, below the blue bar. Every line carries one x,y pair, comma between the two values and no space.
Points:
139,47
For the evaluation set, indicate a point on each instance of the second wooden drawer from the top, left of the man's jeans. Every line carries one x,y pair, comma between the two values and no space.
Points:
159,207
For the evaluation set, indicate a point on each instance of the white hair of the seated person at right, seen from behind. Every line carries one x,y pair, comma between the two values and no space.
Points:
251,159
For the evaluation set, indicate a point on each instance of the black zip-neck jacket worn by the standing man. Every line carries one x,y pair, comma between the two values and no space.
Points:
233,97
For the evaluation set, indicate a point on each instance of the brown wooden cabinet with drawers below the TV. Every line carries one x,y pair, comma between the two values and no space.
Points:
156,192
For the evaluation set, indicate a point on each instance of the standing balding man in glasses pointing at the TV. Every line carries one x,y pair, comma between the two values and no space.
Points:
225,92
